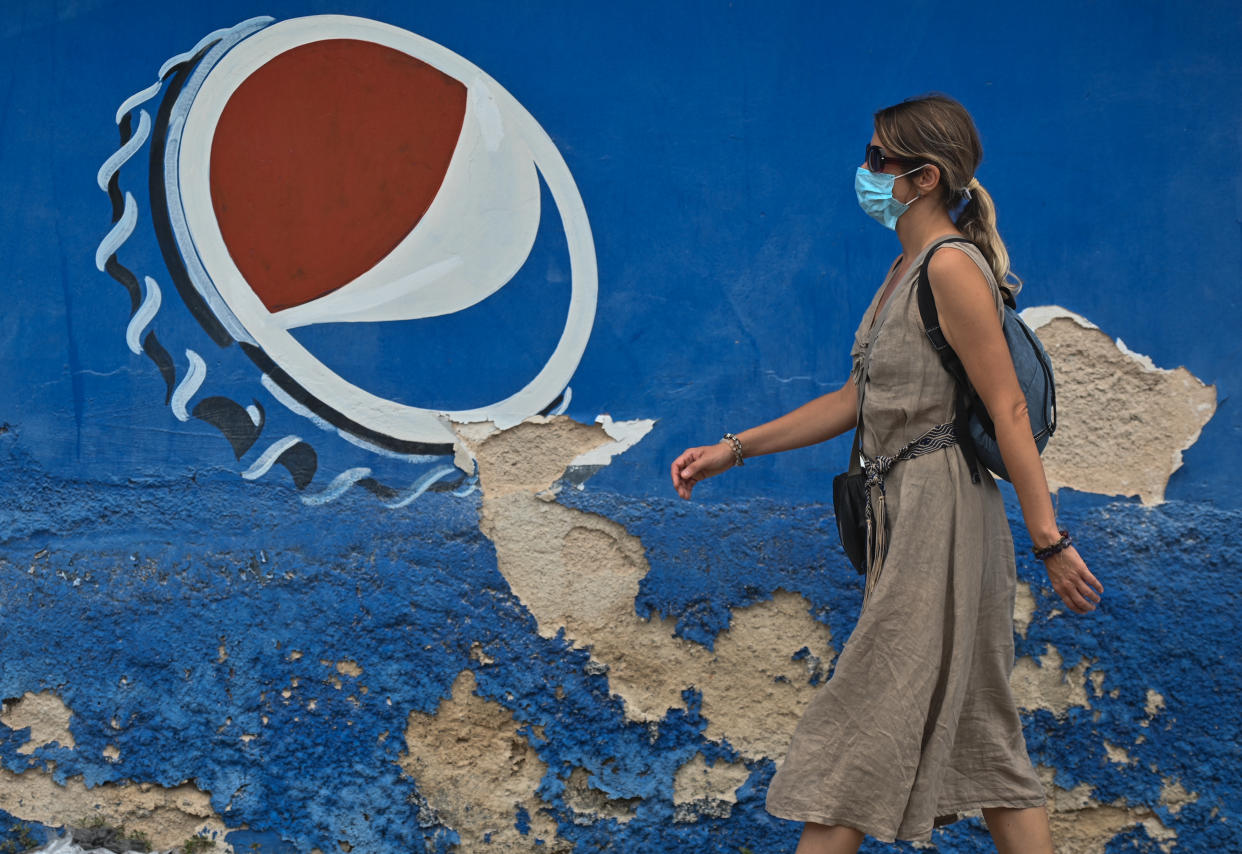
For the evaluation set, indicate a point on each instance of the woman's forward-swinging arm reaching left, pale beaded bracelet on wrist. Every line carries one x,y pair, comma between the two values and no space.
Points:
815,421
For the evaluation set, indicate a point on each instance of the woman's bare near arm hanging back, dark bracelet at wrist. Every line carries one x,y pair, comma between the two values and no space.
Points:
968,318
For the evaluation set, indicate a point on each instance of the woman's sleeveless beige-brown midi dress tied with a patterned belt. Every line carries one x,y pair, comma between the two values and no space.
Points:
918,723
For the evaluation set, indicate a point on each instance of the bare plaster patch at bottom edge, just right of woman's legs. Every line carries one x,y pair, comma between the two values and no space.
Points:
1084,826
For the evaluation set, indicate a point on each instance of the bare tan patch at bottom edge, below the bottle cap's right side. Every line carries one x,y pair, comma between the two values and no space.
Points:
476,771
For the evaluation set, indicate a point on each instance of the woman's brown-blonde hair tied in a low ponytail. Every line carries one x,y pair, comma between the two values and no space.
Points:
937,130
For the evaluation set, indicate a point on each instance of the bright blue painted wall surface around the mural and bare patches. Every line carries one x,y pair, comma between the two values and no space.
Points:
714,146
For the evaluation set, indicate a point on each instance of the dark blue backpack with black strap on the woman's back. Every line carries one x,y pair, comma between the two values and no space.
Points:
976,431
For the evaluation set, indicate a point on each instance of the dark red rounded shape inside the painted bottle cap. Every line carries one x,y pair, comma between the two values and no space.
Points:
325,160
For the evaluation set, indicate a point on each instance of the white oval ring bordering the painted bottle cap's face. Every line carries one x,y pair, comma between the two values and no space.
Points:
388,418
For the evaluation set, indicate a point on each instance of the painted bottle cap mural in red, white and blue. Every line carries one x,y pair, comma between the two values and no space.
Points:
330,171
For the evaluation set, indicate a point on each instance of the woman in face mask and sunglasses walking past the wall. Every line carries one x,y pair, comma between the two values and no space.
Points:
918,723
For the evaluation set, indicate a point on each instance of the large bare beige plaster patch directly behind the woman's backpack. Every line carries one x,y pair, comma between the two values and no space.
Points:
1122,423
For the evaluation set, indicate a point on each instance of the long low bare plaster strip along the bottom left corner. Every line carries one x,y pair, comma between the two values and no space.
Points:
167,816
